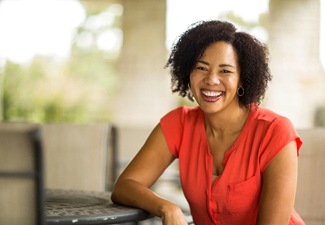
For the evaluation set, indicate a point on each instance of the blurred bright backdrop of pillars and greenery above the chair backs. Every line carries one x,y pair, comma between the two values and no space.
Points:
94,61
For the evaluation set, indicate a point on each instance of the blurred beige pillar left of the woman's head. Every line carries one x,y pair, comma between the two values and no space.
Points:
144,85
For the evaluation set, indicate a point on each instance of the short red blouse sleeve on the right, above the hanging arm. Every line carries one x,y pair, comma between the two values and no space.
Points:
280,133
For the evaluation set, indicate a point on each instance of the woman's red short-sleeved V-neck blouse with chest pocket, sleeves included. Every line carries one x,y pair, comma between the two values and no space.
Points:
233,197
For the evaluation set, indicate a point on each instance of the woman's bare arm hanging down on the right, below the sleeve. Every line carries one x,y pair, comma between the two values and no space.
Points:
279,188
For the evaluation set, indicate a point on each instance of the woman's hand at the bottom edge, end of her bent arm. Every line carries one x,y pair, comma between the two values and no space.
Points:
172,215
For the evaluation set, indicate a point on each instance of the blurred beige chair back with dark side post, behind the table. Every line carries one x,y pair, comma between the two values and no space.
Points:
80,156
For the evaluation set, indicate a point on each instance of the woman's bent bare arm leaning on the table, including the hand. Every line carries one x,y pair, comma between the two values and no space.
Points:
132,187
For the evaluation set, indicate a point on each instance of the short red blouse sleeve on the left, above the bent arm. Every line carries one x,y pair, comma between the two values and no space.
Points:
172,127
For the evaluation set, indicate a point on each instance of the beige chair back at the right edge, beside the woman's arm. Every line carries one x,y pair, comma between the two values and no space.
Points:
310,197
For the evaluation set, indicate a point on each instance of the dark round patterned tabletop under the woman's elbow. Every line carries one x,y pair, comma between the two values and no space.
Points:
83,207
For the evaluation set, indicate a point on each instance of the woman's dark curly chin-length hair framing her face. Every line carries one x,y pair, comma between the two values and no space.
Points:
253,58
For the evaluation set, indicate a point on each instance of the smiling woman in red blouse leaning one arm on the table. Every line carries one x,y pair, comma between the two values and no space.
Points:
238,161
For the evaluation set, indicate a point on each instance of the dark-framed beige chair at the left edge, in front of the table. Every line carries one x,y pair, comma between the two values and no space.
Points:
21,176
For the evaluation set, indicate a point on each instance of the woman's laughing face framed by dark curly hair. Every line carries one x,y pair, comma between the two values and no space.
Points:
215,78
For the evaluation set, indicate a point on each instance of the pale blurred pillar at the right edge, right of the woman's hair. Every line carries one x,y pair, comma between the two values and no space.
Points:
298,82
